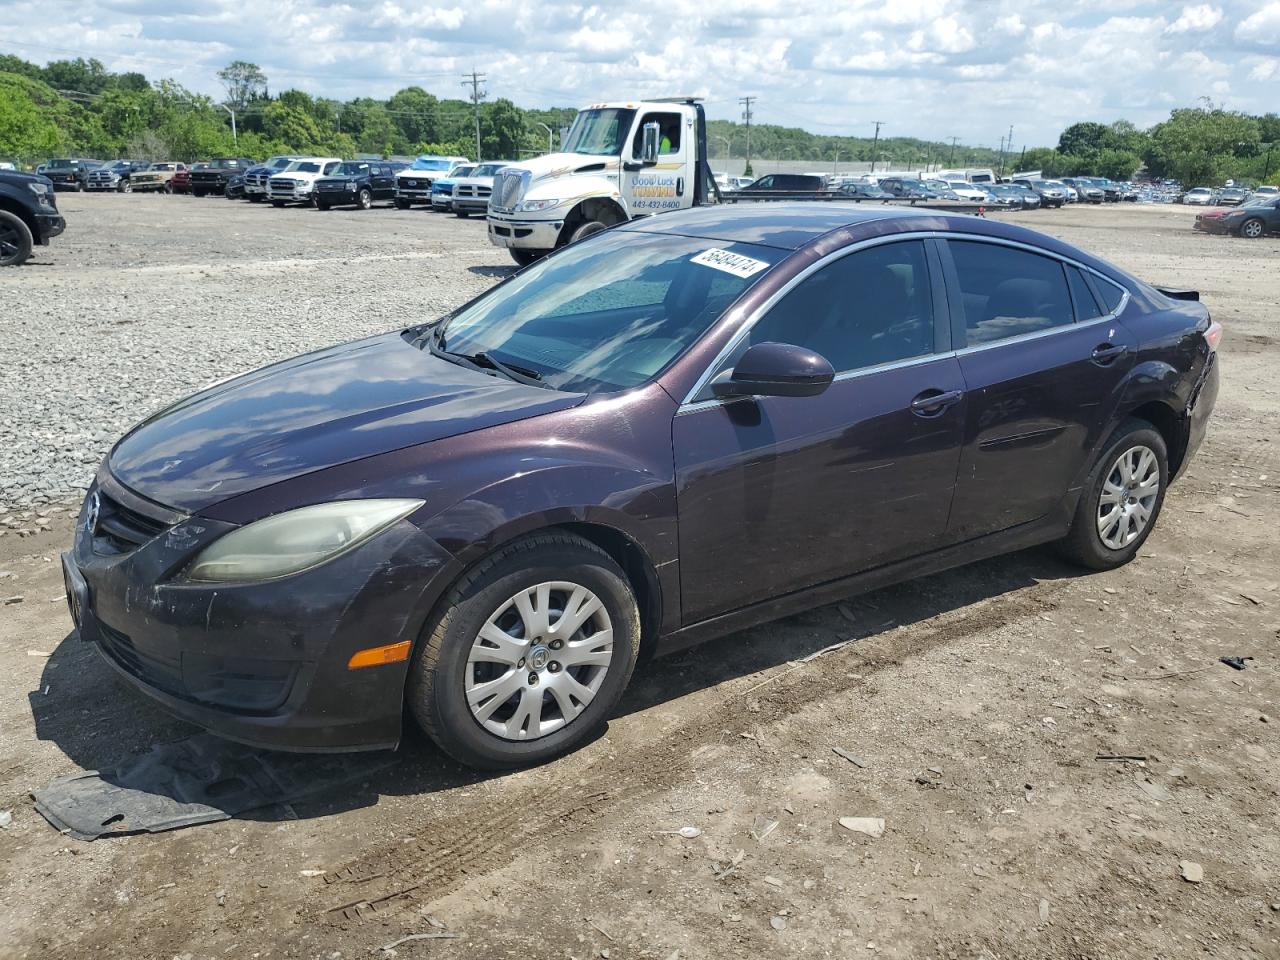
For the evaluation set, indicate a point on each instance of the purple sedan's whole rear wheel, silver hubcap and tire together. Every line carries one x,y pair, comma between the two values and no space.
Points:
1122,499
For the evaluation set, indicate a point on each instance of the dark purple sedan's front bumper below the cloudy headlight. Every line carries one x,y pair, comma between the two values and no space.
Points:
260,664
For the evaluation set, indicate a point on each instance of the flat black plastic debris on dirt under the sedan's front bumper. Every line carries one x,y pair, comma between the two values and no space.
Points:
199,780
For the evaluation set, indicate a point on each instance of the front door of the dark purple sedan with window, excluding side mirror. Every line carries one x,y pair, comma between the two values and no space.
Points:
776,495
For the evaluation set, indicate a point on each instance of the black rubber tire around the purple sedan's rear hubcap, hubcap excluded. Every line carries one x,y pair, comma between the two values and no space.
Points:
1084,545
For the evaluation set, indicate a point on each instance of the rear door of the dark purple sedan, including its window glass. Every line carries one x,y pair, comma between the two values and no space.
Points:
1043,356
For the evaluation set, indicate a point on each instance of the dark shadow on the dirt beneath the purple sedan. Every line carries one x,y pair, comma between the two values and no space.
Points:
99,723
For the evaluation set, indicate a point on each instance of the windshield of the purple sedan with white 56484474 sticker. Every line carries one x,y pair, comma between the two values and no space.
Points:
610,314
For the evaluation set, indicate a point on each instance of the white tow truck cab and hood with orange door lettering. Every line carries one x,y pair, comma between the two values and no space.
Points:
619,162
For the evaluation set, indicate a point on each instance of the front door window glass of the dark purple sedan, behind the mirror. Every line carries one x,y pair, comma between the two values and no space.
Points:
875,307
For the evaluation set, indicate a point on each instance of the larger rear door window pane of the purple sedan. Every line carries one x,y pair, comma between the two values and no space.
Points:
1009,292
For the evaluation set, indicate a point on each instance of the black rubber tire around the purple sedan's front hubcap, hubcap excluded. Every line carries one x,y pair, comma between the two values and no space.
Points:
437,693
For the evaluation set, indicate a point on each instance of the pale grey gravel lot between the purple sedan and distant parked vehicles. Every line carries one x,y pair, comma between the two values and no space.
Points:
148,299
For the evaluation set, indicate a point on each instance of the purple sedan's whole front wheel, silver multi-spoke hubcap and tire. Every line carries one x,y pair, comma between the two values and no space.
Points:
528,655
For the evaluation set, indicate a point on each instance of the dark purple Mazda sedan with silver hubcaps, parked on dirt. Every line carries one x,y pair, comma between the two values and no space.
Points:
674,429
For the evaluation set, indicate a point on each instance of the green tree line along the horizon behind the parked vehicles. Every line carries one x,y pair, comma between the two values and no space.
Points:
80,108
